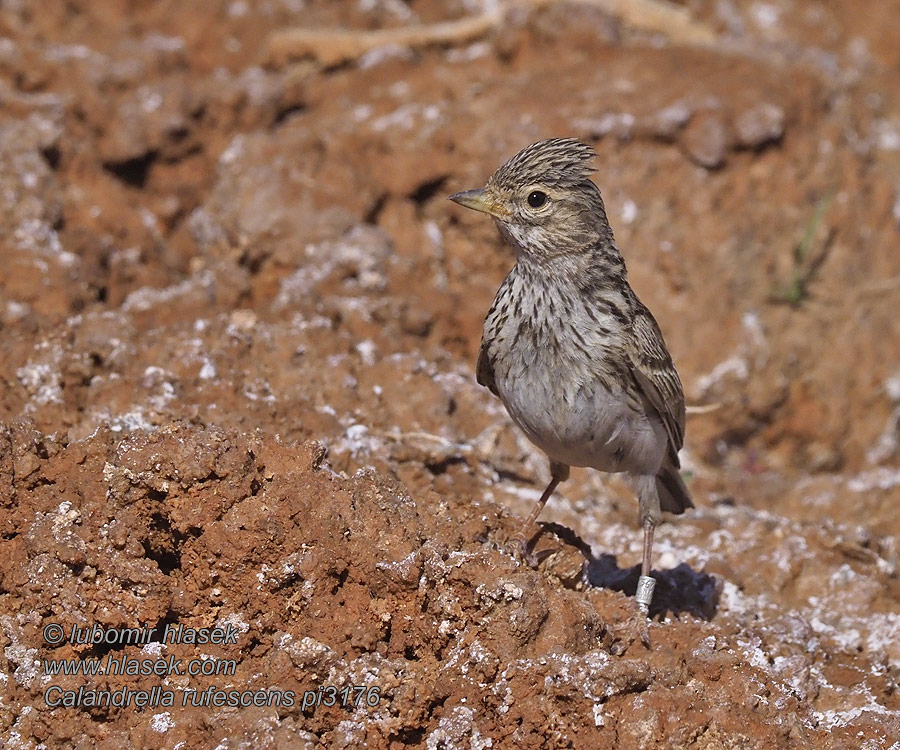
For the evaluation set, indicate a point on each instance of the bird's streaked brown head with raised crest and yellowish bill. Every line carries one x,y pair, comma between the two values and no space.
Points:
543,200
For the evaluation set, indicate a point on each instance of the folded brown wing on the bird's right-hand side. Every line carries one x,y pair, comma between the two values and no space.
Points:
655,374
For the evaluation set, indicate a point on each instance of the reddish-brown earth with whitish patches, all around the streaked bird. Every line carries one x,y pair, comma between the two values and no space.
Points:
238,324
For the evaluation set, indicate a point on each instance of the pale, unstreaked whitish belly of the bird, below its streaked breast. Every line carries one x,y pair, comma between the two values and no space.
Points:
583,424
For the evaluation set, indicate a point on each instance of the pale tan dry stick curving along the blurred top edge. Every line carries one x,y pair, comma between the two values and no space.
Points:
332,47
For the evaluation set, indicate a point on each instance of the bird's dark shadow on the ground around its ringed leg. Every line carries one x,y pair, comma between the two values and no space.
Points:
678,590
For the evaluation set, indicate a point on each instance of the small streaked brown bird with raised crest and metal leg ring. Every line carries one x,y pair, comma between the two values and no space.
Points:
576,358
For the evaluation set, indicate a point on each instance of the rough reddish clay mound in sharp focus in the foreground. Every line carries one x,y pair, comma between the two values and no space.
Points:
335,581
